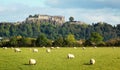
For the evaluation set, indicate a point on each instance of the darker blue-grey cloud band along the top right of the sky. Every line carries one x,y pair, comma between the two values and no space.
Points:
83,3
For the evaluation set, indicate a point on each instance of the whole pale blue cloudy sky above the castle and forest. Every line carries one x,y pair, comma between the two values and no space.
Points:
89,11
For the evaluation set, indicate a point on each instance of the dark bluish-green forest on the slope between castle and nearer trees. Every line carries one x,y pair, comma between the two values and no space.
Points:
80,31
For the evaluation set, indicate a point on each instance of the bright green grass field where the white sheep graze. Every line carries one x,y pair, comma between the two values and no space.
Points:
106,59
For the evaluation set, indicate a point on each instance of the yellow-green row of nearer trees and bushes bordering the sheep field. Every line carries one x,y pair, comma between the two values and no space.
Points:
42,41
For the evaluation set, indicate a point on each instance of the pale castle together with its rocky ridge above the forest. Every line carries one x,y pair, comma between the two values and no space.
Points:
38,18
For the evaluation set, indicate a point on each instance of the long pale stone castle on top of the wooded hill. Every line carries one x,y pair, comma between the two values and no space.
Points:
45,18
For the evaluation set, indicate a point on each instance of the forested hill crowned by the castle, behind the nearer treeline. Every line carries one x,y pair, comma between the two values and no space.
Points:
56,26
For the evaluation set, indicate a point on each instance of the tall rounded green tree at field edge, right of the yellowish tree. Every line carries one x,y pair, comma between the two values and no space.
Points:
96,38
